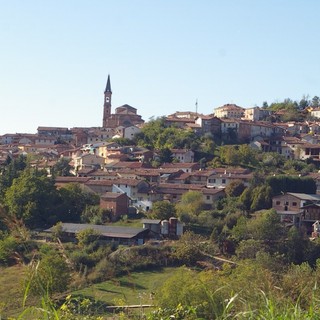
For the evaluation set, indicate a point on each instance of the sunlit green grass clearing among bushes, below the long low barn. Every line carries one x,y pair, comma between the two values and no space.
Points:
133,289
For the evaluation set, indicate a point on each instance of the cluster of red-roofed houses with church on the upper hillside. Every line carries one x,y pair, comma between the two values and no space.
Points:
108,161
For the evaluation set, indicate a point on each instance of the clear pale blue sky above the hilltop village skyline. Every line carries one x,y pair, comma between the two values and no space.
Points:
162,56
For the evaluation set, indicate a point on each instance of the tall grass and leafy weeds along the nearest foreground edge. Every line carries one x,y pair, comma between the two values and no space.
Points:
268,309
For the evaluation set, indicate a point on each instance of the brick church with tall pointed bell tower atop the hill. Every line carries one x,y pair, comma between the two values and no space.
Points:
125,115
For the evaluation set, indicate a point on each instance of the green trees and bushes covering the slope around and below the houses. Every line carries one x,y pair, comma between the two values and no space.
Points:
236,259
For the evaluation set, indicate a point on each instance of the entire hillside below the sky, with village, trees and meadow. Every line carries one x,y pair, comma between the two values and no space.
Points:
184,215
